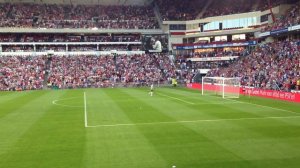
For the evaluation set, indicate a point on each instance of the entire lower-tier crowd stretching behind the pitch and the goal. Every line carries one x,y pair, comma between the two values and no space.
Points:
271,66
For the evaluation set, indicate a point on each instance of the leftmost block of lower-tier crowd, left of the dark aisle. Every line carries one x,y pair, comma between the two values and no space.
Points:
21,73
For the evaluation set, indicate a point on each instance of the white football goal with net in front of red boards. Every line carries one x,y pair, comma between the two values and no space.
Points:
225,87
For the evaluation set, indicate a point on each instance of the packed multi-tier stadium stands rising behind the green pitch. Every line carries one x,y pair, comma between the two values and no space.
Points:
92,70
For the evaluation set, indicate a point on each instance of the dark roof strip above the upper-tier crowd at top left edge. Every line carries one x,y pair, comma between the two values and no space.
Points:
100,2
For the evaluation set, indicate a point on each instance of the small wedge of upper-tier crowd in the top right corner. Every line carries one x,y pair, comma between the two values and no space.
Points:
291,18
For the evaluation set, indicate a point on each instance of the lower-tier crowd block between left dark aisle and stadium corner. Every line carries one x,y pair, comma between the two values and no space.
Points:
107,71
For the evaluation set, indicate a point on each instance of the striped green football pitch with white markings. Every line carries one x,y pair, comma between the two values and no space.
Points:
127,128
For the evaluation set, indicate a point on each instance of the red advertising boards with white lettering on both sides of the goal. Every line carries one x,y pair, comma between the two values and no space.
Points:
270,94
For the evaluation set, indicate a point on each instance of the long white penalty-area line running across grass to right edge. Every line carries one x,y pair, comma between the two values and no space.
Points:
193,121
